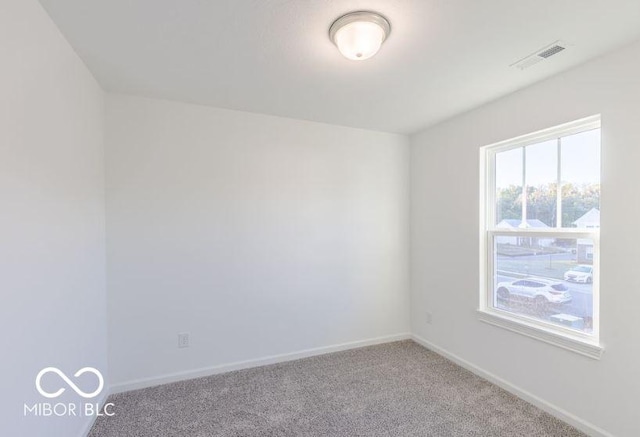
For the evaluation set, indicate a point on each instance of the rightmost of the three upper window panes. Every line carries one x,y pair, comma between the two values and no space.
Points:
581,180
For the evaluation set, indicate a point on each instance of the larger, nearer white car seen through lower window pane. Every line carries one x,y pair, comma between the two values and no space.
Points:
540,291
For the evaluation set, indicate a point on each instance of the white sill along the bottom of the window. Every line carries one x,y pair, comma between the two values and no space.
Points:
575,344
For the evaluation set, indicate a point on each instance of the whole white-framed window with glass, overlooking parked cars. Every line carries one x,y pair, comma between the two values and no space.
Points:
540,235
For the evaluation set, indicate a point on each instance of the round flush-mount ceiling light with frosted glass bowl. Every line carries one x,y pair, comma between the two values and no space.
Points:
359,35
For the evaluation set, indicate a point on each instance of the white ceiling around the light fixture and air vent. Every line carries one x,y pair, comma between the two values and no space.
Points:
274,56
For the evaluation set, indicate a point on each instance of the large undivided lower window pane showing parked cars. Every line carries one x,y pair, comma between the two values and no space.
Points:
546,279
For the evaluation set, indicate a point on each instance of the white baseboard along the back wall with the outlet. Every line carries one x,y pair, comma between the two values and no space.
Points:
273,359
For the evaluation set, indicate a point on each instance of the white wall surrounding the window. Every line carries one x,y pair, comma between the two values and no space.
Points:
444,239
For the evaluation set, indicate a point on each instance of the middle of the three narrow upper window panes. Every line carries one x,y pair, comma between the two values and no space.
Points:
542,183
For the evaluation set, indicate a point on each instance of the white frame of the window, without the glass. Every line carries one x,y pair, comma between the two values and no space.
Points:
587,344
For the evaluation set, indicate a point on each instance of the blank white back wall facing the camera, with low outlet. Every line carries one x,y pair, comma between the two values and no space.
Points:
257,235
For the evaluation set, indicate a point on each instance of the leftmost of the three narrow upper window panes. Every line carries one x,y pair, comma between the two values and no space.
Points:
509,188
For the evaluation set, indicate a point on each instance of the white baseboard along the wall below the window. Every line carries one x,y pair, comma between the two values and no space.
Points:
555,411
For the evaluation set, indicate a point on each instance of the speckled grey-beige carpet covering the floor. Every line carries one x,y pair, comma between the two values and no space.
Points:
394,389
